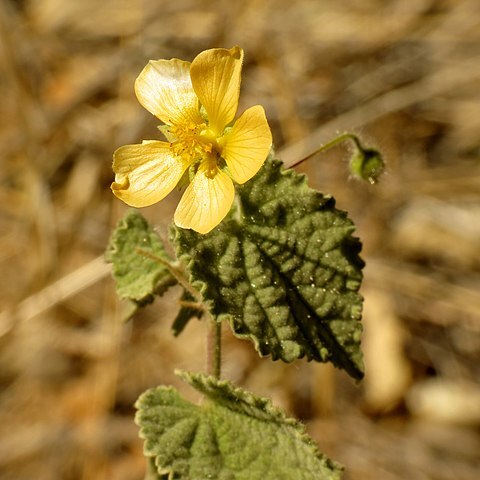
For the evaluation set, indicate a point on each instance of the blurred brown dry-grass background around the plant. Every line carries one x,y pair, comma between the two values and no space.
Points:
404,75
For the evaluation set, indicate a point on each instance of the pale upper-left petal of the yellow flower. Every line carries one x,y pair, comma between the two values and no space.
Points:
164,88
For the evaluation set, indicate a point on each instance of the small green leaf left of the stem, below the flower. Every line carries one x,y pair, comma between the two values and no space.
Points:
135,252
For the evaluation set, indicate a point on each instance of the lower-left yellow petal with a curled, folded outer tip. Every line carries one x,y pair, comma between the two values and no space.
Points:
146,173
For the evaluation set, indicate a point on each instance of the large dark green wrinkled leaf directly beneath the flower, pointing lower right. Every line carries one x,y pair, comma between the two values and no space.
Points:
284,270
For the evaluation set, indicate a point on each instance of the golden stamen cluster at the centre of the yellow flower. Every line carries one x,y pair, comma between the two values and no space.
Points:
193,142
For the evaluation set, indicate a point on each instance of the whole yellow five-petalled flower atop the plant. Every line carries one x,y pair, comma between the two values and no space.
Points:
197,102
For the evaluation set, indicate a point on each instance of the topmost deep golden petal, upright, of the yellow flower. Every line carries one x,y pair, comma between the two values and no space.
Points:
216,80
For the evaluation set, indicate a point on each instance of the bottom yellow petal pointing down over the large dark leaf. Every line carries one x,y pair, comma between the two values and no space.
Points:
206,201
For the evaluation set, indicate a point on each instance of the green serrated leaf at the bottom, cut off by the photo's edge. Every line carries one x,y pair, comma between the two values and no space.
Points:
231,436
